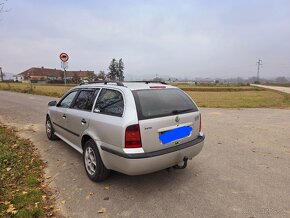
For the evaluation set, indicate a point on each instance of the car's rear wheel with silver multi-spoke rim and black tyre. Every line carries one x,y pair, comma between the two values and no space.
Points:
94,165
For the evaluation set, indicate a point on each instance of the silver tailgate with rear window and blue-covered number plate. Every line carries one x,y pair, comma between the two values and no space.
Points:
167,118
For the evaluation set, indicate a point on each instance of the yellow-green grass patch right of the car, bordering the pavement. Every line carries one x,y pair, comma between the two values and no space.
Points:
245,99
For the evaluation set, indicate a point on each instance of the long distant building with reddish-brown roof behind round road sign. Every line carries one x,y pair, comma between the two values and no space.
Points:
45,75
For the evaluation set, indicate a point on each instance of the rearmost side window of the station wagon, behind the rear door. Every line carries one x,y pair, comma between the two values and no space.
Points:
110,102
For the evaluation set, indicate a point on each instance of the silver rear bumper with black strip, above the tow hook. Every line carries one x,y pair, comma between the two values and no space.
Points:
142,163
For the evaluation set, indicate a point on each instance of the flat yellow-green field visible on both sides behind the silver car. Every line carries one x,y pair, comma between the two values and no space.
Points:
205,95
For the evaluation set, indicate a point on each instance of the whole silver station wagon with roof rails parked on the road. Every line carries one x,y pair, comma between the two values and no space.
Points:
132,127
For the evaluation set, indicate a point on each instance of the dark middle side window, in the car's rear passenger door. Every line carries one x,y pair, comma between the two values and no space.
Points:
85,100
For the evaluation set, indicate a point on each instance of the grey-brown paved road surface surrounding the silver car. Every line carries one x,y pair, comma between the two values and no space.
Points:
243,170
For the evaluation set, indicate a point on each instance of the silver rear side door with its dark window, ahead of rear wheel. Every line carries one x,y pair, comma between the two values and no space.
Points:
78,115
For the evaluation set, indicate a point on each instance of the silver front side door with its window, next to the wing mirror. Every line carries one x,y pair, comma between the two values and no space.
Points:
58,115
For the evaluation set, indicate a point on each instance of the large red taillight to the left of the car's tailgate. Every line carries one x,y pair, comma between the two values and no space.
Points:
133,137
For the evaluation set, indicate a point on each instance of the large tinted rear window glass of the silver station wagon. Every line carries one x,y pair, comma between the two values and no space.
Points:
152,103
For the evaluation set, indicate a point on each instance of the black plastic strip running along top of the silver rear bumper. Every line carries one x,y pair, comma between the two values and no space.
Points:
155,153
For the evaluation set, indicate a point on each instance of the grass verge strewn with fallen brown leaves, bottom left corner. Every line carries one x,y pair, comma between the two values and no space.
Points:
23,192
